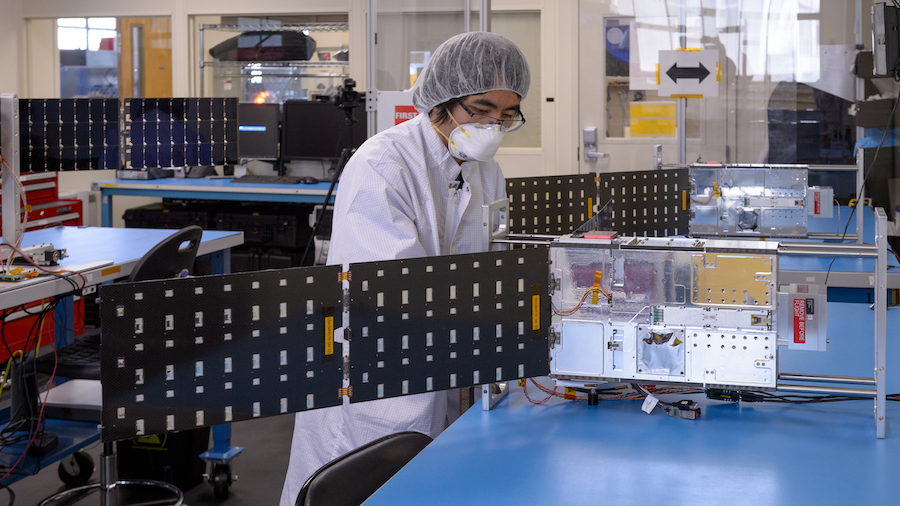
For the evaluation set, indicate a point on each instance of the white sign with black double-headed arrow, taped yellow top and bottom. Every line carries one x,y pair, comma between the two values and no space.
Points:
688,73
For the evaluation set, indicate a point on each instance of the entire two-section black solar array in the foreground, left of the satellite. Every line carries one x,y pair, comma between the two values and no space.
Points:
193,352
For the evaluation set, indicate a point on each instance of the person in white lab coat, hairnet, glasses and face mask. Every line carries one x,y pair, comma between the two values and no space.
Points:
416,190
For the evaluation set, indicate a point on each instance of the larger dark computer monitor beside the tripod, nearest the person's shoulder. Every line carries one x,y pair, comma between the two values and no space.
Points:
313,130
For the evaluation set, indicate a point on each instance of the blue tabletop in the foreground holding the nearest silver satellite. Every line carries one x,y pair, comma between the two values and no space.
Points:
566,452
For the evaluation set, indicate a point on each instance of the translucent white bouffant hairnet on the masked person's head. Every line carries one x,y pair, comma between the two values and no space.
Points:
470,64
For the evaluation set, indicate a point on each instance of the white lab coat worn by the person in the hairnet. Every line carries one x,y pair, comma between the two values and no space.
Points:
398,198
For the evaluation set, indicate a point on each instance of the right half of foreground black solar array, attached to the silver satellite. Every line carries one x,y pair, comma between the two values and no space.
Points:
436,323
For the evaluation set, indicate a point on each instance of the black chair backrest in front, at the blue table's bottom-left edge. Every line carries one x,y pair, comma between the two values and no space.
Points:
351,478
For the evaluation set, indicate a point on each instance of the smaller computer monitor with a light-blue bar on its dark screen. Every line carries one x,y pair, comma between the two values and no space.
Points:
258,132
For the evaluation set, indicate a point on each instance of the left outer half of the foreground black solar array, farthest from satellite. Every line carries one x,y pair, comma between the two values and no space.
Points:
193,352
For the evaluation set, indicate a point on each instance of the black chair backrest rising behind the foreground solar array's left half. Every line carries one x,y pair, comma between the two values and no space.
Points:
168,259
